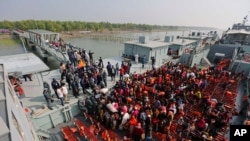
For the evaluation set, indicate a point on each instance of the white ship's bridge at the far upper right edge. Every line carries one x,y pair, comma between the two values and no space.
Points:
239,34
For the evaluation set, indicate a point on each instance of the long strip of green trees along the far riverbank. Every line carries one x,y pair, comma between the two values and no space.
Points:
58,26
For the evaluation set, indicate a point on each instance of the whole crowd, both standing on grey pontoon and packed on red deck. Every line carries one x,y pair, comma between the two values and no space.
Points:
156,101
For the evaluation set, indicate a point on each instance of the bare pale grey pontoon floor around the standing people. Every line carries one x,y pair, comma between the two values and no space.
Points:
33,89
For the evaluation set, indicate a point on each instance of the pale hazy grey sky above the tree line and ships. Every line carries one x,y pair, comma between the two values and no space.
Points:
209,13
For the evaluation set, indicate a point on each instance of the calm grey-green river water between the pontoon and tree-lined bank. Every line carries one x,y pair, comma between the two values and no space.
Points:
101,48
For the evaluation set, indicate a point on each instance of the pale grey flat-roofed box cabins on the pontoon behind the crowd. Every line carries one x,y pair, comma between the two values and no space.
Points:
161,49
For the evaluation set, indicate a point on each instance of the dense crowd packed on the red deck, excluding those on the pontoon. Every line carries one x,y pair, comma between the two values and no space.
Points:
156,101
